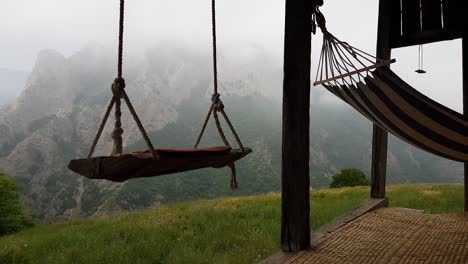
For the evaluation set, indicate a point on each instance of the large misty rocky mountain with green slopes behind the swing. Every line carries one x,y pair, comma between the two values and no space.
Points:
57,114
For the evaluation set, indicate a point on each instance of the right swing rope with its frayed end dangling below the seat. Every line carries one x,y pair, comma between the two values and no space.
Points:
217,105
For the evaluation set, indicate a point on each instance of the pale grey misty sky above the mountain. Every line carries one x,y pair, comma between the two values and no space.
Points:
28,26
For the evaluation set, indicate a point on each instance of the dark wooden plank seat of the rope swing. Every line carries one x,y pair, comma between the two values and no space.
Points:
120,168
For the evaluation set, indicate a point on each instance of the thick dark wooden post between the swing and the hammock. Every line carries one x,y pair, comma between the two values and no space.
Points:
295,220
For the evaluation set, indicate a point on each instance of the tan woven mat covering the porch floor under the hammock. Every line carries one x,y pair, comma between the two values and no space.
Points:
394,235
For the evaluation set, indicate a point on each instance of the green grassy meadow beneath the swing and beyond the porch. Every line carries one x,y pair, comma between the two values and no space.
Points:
227,230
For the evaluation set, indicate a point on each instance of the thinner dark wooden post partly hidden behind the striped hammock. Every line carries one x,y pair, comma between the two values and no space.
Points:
380,136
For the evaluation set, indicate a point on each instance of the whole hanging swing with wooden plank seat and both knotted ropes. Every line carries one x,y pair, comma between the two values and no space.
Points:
121,166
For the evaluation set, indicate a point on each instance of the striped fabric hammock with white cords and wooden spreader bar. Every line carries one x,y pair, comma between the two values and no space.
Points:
385,99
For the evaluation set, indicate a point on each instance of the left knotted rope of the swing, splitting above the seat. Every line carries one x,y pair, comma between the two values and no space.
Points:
118,90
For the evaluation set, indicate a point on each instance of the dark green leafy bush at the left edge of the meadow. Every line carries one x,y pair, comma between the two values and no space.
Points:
13,217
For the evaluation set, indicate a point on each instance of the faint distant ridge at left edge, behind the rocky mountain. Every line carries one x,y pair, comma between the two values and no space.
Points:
11,83
